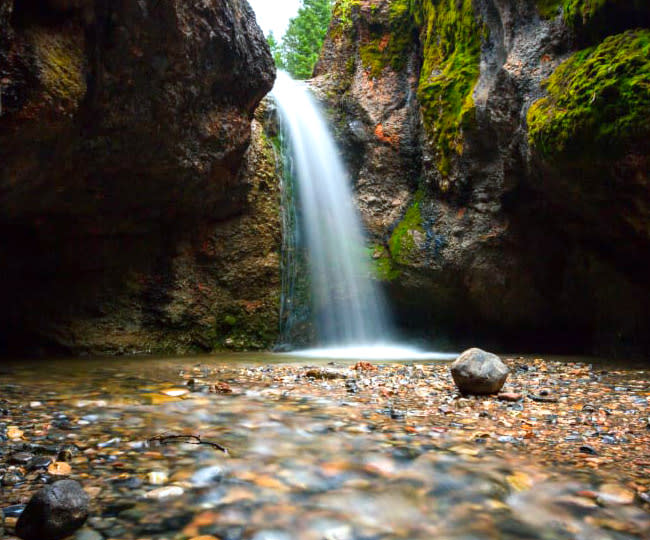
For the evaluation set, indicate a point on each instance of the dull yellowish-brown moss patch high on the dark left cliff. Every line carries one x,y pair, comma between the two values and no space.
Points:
61,64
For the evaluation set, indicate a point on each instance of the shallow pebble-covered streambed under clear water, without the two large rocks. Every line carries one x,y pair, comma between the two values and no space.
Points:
337,451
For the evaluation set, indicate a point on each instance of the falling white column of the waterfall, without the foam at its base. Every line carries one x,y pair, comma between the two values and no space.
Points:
347,305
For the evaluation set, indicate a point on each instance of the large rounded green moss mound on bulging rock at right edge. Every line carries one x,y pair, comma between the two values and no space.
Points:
598,100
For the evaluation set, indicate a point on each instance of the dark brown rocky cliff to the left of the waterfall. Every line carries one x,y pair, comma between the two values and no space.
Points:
135,213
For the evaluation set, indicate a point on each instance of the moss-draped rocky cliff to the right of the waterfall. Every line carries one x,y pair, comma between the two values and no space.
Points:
500,150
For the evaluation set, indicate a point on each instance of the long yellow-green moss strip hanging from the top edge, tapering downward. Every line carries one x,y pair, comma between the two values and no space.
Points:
451,39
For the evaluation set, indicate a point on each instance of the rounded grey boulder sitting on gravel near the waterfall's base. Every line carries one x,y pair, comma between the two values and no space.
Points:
479,372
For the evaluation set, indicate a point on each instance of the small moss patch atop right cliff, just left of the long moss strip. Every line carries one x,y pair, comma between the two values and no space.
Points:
389,48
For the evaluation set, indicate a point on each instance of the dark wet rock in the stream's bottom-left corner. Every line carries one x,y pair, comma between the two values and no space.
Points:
54,512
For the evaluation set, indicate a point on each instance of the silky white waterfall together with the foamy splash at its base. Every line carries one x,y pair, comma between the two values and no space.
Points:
321,227
